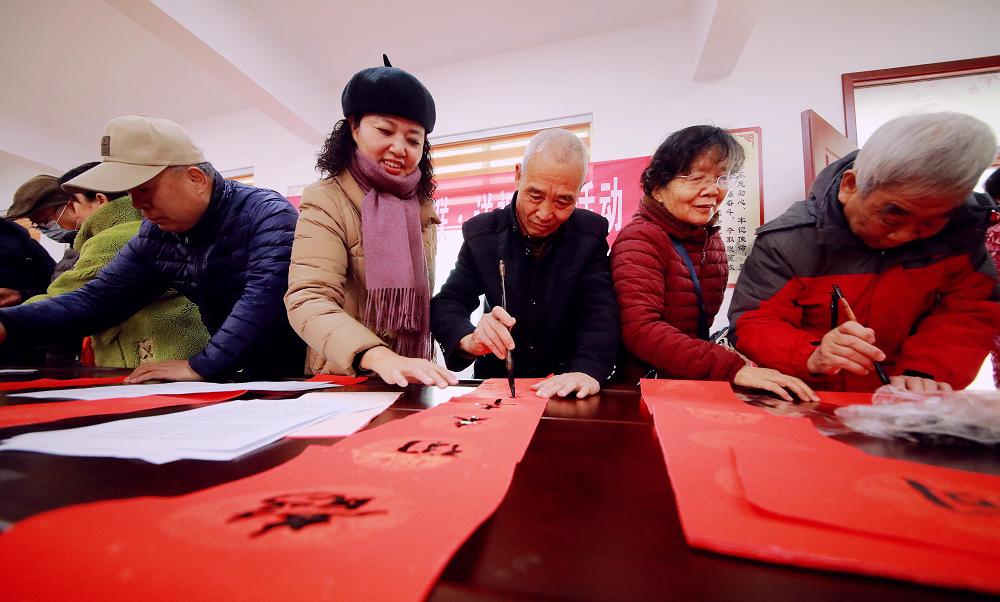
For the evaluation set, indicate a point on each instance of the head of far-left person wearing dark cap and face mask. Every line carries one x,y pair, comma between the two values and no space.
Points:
47,207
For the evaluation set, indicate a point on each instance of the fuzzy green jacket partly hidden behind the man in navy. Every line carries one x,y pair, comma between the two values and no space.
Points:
169,328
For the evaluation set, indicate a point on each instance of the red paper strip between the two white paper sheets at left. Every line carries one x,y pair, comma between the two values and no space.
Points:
38,413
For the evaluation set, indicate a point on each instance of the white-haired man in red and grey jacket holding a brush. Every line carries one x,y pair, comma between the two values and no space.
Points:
893,228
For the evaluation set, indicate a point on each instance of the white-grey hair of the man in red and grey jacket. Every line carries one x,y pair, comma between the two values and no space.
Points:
932,153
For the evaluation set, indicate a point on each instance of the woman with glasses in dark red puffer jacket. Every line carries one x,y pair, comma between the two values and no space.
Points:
670,269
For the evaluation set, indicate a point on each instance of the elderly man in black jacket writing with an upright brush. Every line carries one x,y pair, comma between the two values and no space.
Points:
561,316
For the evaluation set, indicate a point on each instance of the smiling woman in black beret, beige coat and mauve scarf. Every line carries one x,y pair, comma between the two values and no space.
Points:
361,272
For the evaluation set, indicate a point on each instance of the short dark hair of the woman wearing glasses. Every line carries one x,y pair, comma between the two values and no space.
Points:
680,150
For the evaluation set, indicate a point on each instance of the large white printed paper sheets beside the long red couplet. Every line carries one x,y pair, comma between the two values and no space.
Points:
223,431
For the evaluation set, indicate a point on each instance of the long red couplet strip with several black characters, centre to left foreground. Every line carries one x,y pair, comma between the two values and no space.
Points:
376,516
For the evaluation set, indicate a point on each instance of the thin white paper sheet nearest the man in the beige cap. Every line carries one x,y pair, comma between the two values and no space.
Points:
178,388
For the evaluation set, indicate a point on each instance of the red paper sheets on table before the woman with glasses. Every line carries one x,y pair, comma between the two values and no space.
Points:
752,484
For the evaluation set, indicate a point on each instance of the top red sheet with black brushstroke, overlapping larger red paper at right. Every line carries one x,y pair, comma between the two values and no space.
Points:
925,505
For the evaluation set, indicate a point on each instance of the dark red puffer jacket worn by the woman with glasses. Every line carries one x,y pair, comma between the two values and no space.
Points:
659,308
